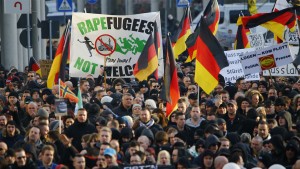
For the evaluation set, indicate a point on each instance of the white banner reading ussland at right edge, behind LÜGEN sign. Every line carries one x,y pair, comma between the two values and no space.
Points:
286,70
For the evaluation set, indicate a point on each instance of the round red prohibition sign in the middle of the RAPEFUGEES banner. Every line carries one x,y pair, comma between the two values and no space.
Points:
104,46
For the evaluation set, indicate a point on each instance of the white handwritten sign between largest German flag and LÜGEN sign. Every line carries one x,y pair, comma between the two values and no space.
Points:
235,70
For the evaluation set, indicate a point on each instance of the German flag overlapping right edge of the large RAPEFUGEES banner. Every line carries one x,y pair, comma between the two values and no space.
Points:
147,62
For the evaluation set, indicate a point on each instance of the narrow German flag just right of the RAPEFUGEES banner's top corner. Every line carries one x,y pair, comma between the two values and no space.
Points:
182,33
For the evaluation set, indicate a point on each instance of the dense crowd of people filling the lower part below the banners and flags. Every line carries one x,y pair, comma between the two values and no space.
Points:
123,124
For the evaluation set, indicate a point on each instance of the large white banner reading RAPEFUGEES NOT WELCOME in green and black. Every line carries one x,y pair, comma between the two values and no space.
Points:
119,38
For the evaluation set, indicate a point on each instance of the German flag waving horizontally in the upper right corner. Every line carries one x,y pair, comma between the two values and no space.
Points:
274,21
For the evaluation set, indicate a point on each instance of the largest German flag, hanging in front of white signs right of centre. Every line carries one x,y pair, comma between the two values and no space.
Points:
211,59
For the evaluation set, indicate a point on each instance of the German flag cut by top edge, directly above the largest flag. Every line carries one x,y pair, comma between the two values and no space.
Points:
212,15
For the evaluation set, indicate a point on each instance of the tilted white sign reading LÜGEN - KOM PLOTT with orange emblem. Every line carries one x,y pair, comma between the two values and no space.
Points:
266,58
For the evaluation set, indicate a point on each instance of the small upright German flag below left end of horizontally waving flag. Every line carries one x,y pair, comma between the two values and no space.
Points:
241,40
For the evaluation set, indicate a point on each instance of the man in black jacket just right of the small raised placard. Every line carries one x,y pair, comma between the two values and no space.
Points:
80,127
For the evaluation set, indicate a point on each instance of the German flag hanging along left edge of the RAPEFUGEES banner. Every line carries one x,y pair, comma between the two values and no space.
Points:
60,60
